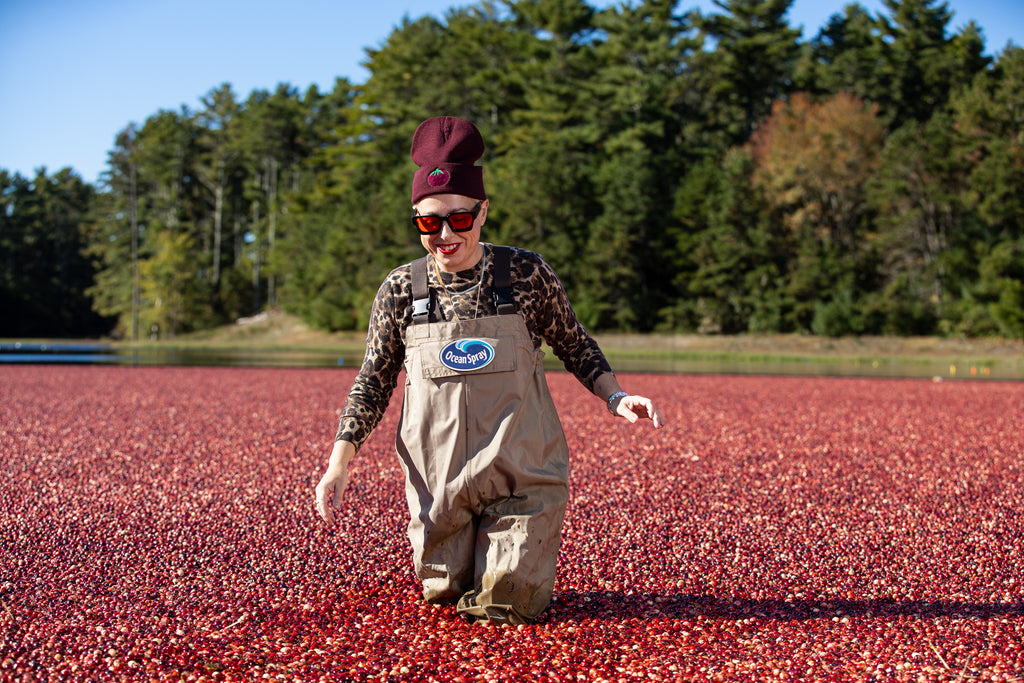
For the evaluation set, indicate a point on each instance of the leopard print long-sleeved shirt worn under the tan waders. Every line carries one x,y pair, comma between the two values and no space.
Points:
541,300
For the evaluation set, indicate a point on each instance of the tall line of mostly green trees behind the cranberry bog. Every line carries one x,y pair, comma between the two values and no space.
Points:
681,172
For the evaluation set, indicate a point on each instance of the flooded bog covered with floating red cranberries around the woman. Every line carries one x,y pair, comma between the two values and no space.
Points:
158,525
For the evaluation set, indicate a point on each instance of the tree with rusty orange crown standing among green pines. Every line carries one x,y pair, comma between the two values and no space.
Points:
815,161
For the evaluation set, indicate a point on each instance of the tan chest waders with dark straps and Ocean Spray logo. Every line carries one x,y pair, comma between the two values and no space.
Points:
485,458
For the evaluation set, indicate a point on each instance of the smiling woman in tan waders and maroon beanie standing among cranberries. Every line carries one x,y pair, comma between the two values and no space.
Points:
480,442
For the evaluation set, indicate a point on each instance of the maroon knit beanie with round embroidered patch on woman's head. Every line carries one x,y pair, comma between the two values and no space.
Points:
446,150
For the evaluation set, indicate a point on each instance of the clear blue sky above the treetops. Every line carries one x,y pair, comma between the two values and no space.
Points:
73,73
